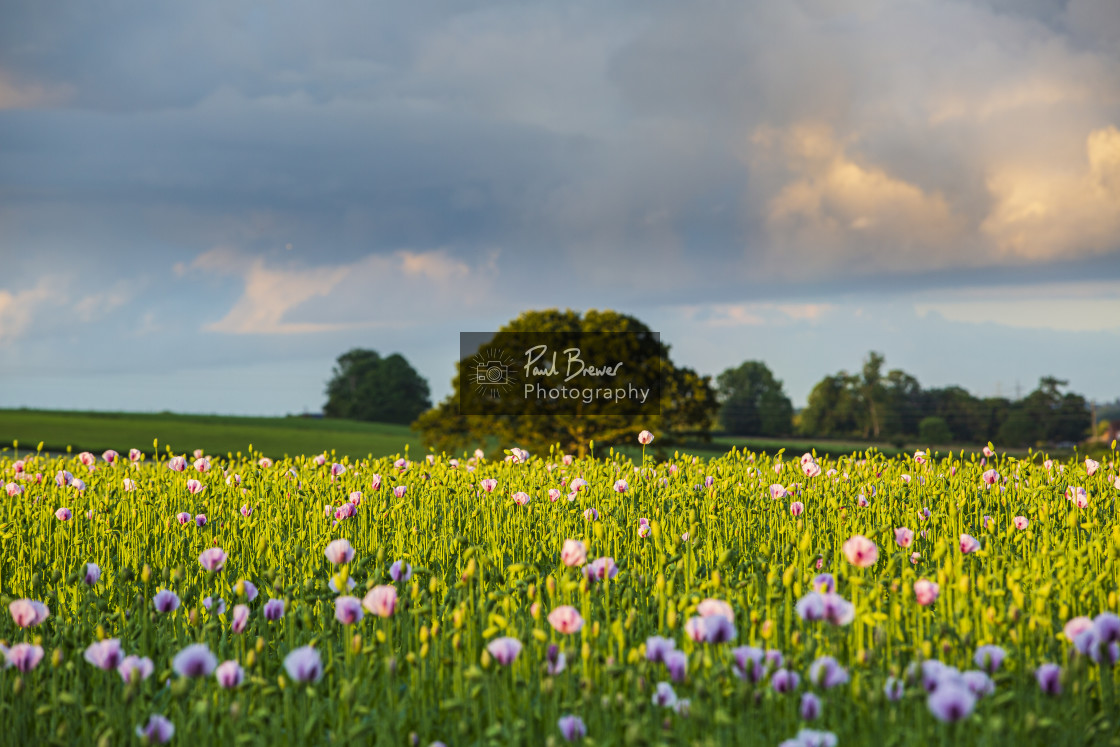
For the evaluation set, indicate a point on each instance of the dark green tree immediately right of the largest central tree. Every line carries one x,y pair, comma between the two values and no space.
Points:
753,403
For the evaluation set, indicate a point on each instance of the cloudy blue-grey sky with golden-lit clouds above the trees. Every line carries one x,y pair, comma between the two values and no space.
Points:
204,204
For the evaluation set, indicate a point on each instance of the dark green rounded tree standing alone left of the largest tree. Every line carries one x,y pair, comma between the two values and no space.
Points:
367,387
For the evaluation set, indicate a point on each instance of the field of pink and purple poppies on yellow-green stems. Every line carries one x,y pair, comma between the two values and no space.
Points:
539,600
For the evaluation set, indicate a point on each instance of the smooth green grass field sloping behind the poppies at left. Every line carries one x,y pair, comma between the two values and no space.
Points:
275,437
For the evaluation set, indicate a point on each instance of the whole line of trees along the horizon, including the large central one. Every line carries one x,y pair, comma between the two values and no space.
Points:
871,405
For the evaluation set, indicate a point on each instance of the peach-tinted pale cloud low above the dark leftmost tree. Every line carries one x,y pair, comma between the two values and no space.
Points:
395,291
